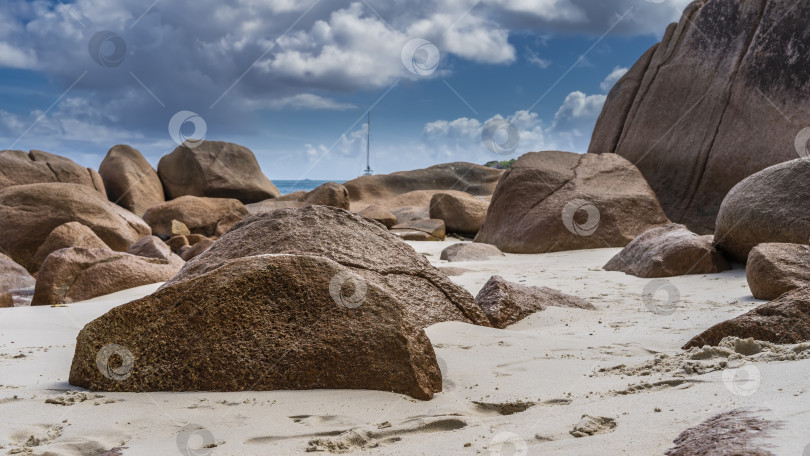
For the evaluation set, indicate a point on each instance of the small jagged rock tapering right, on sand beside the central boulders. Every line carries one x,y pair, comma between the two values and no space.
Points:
506,303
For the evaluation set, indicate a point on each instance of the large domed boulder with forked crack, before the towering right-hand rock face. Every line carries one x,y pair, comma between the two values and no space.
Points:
556,201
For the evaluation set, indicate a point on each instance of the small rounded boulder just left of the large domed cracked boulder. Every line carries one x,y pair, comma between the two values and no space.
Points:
461,214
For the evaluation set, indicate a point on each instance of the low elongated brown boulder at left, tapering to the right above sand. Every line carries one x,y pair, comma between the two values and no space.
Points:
76,274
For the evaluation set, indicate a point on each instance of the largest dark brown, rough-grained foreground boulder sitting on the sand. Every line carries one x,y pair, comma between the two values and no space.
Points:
266,322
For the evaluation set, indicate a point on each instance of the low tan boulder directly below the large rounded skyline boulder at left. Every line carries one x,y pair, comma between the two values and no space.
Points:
205,216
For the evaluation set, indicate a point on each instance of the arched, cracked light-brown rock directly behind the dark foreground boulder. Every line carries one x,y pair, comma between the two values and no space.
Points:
363,246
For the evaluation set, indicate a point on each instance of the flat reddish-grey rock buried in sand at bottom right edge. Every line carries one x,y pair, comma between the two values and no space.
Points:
738,432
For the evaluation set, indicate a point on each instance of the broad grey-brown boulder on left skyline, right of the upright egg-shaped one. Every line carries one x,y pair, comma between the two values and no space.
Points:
216,170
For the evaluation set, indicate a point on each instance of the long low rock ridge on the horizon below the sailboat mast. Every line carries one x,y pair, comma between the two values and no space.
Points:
382,188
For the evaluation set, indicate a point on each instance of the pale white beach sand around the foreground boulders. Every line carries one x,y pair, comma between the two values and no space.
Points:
616,378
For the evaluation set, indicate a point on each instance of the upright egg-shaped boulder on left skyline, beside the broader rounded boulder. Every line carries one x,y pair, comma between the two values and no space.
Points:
130,180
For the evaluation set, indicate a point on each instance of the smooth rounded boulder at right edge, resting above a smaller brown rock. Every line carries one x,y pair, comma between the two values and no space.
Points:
770,206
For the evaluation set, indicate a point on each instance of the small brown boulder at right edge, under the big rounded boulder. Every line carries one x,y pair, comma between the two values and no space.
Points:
774,269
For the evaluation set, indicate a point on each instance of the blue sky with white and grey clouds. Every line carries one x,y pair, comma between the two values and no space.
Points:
294,80
